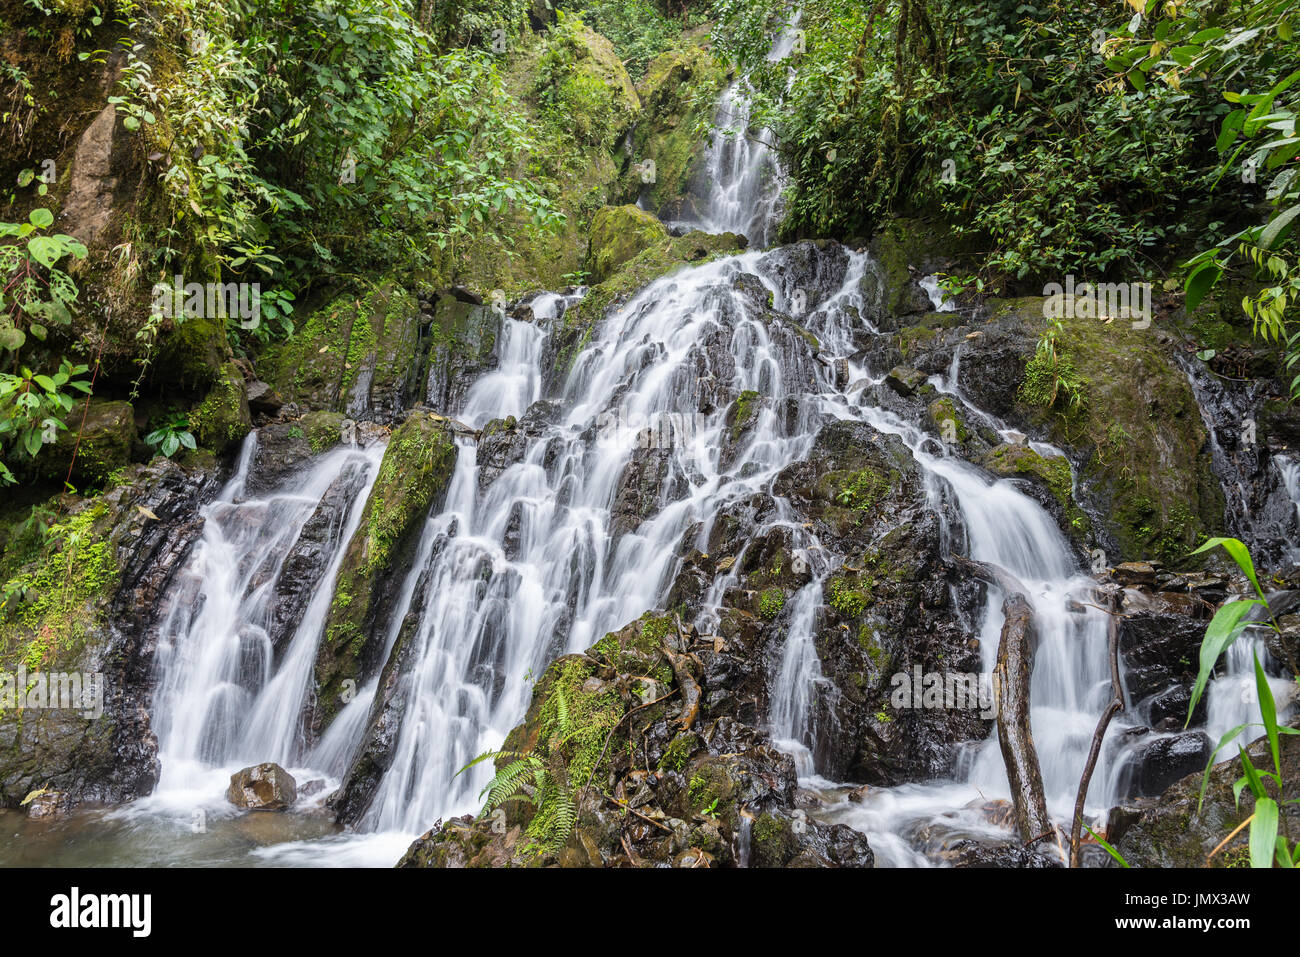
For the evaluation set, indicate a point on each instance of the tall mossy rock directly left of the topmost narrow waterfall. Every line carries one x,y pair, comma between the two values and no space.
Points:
678,94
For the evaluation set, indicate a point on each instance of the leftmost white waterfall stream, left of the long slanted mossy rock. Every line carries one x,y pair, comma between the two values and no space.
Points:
232,691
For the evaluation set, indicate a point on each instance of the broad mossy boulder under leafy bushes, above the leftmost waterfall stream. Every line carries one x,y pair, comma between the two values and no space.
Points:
359,356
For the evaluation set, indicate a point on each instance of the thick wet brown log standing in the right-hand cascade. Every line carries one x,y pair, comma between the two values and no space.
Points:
1012,691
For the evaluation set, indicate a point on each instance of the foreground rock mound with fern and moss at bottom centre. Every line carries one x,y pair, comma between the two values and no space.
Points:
679,786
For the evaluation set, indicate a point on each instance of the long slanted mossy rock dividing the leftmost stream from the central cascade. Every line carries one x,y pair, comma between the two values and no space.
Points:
417,467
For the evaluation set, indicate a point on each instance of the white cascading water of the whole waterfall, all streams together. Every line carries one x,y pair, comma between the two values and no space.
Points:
539,558
